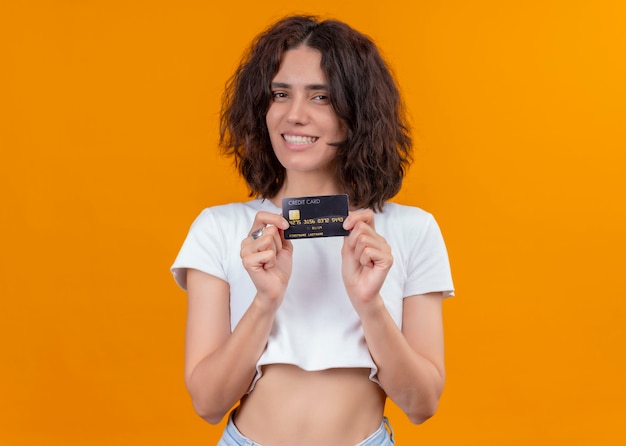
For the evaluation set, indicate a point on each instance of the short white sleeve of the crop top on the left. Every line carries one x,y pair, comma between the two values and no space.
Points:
203,249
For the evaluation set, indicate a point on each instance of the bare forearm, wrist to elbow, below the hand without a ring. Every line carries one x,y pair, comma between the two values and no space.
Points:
411,380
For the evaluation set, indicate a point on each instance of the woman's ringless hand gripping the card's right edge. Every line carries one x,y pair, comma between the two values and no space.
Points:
366,259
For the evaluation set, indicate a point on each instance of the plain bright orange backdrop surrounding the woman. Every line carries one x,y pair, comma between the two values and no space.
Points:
108,151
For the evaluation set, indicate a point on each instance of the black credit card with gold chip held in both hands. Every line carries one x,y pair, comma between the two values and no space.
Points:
311,217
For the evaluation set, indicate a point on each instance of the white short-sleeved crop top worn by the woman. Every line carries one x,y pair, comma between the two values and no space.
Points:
316,327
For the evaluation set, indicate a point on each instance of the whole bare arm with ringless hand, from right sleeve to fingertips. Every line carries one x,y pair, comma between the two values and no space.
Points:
410,362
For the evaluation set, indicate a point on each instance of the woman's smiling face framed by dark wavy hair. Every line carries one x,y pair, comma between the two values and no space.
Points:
301,121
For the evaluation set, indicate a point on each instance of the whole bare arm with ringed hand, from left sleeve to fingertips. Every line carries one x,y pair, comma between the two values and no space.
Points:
220,365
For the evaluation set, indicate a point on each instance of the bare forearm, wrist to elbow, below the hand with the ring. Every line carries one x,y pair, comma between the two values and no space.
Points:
220,379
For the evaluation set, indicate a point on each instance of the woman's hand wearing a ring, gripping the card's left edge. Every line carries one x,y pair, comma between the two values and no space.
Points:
268,258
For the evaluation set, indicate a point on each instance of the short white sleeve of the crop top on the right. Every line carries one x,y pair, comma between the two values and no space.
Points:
428,266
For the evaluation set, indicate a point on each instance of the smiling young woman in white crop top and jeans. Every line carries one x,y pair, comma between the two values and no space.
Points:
311,336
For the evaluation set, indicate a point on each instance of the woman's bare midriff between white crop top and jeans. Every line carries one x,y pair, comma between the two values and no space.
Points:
292,406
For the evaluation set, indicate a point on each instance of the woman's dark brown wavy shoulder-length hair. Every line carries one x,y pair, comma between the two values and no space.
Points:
373,158
